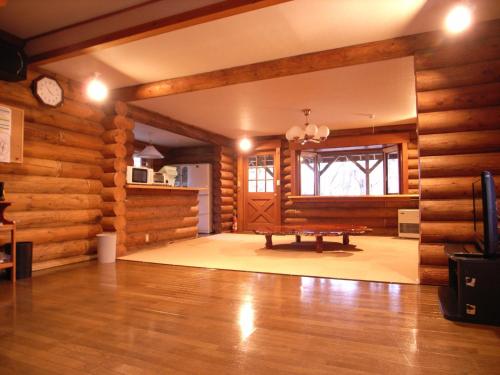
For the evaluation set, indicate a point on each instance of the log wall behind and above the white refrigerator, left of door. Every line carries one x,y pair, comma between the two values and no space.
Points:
223,179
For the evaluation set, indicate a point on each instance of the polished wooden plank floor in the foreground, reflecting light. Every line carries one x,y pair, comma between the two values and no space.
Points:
140,318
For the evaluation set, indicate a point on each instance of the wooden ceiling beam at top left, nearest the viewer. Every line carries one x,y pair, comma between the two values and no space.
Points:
193,17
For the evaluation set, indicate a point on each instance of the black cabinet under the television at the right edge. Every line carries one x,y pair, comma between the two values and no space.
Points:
473,294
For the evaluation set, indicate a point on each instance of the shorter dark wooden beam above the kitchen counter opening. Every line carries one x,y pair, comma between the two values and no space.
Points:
159,121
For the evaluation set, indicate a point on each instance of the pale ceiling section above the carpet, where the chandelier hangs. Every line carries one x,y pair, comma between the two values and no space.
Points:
339,98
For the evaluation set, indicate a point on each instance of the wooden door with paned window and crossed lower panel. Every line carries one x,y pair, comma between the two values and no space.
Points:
260,188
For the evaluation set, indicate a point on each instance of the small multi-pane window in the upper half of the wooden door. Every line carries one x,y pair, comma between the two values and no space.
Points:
261,174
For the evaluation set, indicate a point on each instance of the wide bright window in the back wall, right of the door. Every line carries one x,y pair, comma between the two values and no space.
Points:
371,170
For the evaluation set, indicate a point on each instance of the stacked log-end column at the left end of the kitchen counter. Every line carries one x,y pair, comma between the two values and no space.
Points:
118,148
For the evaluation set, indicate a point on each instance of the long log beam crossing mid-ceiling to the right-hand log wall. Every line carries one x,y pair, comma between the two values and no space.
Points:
311,62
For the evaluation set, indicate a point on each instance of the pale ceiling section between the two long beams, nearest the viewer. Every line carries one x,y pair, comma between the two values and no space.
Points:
286,29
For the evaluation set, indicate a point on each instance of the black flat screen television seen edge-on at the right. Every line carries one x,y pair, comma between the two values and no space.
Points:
485,215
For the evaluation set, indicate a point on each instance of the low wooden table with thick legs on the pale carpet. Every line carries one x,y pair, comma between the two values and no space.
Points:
317,231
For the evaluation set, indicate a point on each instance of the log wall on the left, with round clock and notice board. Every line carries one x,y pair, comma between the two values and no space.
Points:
56,192
